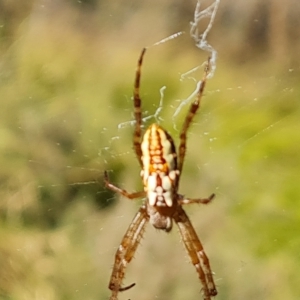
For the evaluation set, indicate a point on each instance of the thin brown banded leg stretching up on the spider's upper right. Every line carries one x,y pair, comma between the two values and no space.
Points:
189,118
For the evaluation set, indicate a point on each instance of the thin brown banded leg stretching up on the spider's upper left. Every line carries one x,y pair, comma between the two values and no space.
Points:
138,110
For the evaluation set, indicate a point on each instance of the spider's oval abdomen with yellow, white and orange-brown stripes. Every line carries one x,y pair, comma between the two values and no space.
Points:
159,174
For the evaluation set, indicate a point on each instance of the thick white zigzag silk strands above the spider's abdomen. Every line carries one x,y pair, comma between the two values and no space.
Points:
200,38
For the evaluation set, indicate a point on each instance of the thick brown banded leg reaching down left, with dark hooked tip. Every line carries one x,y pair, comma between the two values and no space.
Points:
126,252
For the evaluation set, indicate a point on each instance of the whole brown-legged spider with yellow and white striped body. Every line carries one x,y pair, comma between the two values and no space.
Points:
160,174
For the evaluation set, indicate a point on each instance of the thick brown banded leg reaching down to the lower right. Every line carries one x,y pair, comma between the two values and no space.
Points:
196,253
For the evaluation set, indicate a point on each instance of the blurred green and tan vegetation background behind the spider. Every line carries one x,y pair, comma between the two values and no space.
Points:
66,79
